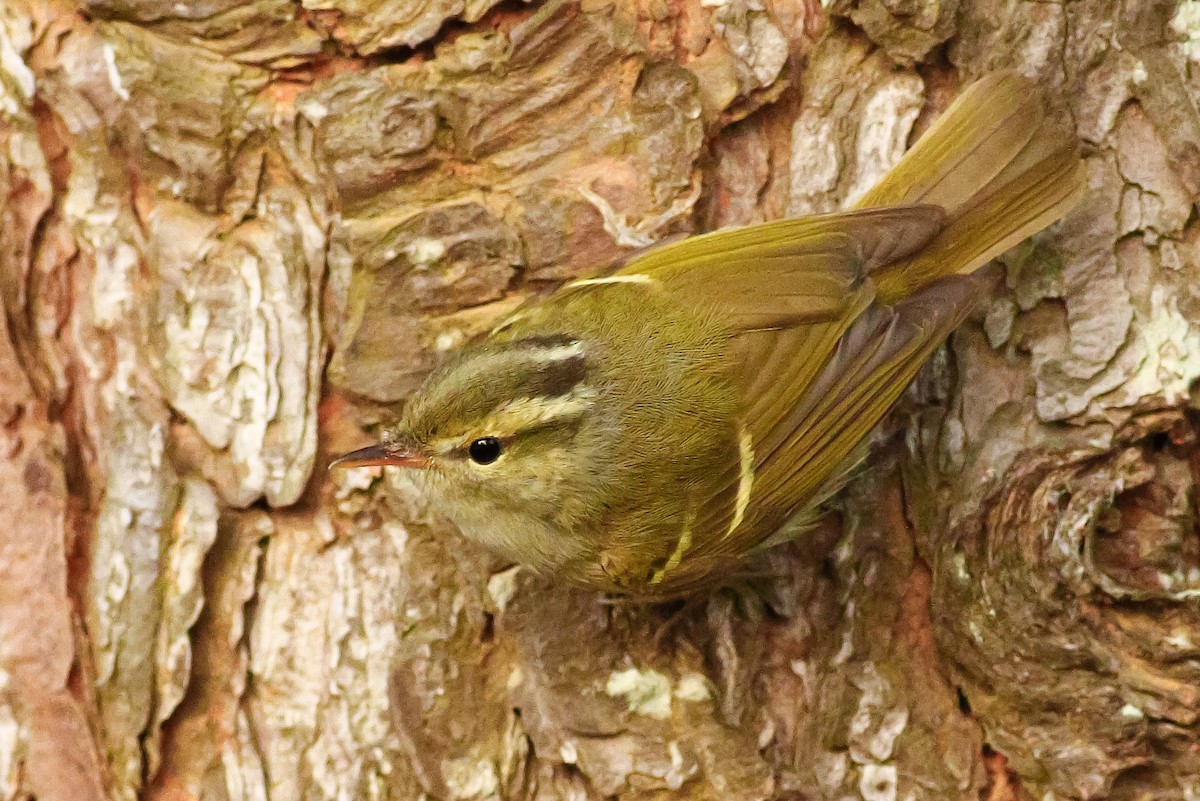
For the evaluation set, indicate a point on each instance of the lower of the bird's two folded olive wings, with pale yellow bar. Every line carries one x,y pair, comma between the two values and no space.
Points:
797,438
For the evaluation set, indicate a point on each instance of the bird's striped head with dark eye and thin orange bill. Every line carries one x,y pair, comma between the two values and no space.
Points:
511,442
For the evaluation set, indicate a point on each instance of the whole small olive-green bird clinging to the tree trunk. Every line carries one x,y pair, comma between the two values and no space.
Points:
644,432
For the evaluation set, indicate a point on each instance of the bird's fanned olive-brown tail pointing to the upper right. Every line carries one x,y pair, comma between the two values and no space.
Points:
999,168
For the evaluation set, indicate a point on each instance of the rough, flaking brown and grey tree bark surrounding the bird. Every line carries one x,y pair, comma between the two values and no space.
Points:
235,234
